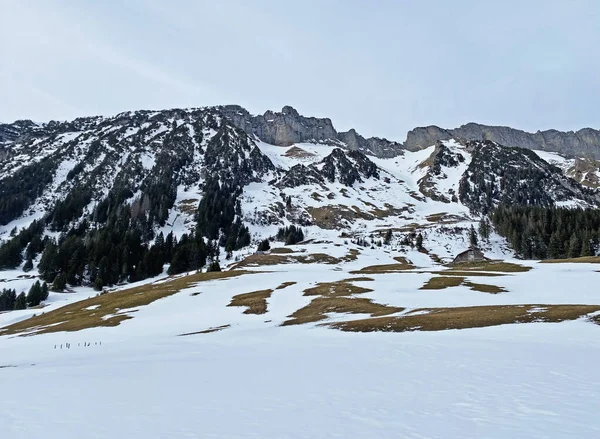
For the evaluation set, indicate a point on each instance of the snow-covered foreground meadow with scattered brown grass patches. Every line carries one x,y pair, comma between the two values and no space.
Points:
188,364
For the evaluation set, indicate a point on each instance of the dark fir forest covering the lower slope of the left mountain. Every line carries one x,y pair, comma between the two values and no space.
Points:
117,243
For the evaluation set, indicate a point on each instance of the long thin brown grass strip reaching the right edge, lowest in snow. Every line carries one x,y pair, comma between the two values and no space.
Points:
439,319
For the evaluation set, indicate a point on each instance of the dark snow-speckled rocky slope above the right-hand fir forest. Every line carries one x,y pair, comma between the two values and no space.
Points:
504,175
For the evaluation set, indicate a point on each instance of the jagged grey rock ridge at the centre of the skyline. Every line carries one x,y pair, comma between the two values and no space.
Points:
288,127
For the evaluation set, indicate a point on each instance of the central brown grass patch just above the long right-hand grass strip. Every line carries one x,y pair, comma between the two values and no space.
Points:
318,309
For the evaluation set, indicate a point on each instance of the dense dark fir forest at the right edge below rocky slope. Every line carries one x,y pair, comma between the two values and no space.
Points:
549,232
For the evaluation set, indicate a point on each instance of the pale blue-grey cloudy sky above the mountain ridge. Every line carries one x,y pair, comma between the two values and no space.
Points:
382,67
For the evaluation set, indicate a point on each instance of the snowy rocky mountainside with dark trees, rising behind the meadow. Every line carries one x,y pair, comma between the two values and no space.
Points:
148,173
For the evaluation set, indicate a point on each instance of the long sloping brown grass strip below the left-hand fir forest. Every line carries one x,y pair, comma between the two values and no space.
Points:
110,309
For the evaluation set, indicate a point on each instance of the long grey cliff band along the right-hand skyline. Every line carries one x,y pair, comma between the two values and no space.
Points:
585,142
